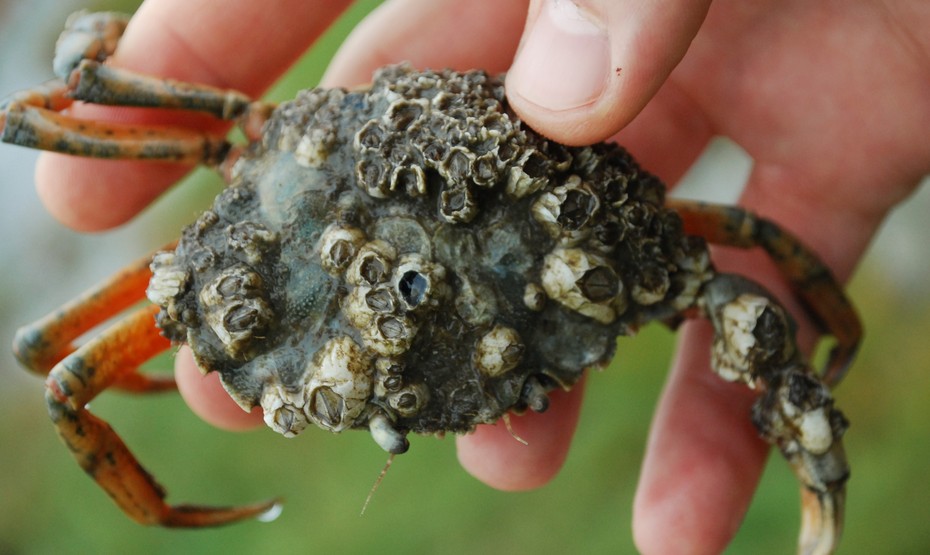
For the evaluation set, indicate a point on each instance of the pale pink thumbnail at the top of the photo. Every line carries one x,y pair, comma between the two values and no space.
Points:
564,61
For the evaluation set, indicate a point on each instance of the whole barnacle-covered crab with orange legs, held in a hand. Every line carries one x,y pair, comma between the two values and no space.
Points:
409,257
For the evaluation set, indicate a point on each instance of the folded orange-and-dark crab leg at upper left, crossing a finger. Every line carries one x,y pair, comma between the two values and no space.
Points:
33,119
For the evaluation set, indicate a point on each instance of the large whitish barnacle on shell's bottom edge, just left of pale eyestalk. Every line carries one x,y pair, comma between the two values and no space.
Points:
339,384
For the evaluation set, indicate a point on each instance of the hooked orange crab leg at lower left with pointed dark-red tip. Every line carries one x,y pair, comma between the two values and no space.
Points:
76,380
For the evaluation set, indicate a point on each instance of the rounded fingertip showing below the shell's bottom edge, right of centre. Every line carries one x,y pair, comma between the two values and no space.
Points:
497,457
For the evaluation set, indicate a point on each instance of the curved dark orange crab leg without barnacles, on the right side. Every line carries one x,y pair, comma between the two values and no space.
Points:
812,281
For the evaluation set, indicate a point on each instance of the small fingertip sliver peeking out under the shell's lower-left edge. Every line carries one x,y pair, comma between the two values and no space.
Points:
207,398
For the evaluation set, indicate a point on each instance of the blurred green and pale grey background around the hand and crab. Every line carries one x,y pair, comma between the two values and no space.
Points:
427,503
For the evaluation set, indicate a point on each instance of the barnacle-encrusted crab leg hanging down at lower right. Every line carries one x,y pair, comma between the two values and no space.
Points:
754,344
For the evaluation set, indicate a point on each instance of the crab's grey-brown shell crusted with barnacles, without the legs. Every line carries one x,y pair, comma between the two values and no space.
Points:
413,258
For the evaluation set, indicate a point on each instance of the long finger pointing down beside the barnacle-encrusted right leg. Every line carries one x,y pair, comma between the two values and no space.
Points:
703,459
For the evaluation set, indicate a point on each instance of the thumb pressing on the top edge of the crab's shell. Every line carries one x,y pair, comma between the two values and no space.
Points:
585,68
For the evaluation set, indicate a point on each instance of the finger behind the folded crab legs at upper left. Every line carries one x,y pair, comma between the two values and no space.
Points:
245,45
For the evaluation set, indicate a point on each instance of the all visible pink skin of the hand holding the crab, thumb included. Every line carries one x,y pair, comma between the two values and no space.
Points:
829,99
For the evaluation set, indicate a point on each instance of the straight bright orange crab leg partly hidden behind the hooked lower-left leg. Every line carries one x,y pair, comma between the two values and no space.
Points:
41,345
